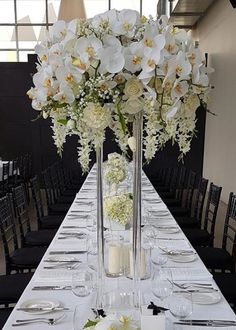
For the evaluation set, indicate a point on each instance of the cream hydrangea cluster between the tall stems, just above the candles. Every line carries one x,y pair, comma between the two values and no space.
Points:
119,208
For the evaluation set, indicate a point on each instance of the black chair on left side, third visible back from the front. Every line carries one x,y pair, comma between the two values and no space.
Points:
44,221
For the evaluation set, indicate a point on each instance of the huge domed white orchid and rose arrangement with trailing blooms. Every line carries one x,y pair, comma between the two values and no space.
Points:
101,72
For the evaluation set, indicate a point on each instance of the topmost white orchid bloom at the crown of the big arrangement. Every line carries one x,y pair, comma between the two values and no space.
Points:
125,25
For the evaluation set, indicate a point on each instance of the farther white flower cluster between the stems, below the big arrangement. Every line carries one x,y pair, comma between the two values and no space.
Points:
115,168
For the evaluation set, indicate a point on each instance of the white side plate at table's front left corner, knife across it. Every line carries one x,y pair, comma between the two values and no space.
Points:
39,303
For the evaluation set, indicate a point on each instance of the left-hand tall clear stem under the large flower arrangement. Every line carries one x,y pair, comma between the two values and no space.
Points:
100,231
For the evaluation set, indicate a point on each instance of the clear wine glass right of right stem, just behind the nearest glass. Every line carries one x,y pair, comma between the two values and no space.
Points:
162,286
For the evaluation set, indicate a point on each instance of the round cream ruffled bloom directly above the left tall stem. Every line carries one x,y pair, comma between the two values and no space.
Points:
96,116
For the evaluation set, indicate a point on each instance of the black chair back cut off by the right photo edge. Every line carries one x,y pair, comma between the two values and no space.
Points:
229,235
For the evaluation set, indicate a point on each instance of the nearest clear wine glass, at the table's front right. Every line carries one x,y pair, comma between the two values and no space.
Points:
181,305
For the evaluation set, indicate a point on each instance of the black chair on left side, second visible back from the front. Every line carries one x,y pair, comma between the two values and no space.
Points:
27,236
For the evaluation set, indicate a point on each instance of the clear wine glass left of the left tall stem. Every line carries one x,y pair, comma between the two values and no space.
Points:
82,282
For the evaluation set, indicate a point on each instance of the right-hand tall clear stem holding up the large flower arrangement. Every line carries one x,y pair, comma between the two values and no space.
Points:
137,209
